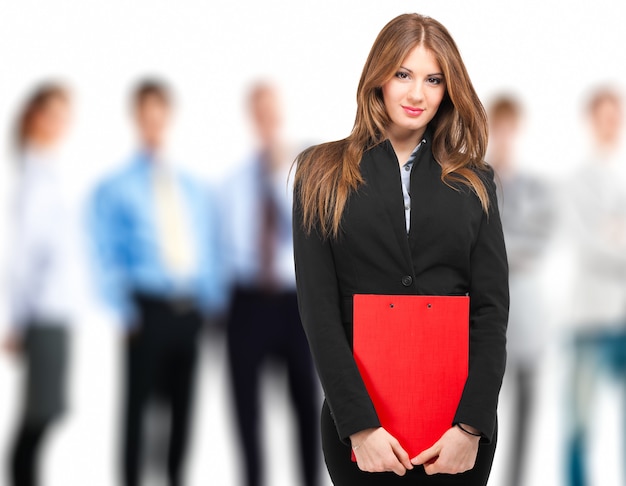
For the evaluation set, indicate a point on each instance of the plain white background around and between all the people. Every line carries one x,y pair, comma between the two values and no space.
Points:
548,53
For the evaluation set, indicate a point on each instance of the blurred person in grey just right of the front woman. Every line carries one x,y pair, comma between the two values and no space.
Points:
527,207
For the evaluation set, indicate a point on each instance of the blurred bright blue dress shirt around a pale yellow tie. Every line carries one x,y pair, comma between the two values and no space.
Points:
123,225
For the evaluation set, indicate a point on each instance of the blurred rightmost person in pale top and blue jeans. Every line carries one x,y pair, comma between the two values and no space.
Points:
596,218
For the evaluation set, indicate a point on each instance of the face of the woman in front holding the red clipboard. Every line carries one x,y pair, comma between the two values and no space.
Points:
413,95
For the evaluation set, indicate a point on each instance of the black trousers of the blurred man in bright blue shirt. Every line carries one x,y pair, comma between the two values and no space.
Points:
161,358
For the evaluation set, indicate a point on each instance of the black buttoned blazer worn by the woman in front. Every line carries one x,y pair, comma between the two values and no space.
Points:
453,248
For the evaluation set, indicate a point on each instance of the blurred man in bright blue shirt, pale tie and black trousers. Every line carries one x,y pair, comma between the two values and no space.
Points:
157,246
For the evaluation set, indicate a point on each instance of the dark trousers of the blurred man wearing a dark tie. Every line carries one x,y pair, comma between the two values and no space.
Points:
266,326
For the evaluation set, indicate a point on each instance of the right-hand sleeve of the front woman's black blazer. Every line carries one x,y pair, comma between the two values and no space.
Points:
489,306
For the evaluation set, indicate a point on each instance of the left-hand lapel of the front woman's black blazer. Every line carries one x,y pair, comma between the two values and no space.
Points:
387,182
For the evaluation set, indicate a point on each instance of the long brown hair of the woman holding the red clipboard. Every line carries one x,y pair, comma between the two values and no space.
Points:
326,174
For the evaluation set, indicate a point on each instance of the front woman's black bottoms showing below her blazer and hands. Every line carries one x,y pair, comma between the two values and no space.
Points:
344,472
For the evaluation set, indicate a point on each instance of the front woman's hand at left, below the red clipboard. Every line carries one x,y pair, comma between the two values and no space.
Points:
376,450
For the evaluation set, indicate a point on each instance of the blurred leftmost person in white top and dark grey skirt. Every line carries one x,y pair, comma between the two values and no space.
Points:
40,291
